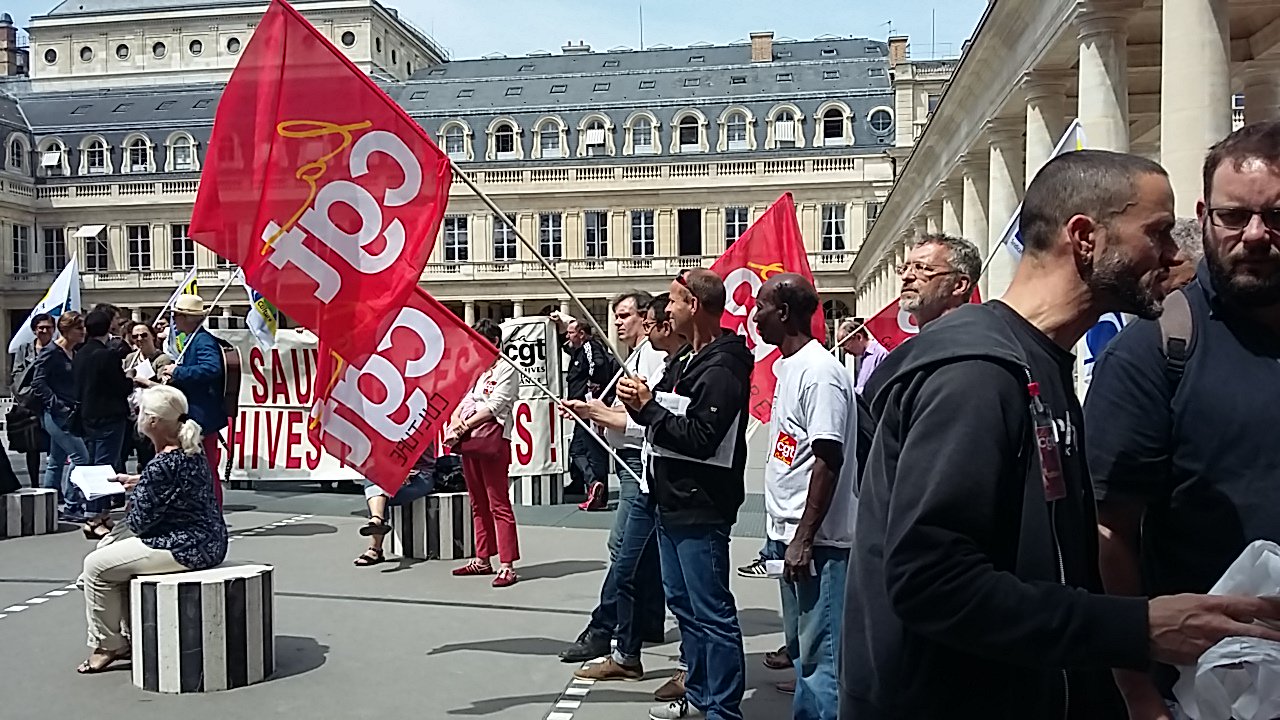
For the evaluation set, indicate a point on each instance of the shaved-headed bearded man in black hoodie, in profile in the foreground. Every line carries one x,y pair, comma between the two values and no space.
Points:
975,587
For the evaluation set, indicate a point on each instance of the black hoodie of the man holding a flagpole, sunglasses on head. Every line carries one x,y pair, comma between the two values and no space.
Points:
717,381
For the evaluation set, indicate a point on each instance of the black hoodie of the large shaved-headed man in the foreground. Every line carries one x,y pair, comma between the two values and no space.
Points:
970,594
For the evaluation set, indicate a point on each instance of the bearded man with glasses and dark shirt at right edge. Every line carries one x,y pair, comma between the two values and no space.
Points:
1185,466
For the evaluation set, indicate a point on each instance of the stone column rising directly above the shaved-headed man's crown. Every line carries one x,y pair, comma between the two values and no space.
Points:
1104,81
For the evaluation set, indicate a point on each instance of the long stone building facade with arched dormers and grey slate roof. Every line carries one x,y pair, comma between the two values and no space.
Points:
624,166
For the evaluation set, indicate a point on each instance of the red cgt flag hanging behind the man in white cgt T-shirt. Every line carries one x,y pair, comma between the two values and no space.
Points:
772,245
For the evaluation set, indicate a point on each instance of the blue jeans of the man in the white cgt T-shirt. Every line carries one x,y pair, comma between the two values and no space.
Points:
812,613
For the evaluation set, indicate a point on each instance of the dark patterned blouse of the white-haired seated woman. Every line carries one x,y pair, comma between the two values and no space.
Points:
173,508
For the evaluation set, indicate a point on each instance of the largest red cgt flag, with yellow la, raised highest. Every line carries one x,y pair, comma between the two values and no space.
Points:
319,186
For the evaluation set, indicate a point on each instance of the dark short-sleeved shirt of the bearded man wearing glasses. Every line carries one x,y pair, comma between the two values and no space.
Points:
1205,458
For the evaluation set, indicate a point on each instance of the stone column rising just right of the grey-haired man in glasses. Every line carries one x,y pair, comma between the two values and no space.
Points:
1004,194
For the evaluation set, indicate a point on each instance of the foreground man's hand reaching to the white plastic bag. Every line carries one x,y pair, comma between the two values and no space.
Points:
1183,627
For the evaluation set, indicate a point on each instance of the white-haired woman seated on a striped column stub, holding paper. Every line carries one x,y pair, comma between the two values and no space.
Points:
173,521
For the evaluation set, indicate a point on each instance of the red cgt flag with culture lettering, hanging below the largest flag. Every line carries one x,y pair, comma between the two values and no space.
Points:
378,417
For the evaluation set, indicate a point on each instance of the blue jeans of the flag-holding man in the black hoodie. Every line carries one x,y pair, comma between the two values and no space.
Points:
696,576
